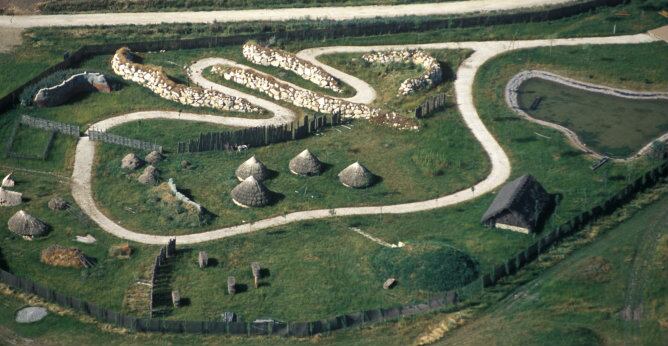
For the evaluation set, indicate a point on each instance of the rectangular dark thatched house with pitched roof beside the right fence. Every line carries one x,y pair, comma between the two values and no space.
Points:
519,206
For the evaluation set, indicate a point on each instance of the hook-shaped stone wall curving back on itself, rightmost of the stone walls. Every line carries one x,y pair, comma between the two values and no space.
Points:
433,74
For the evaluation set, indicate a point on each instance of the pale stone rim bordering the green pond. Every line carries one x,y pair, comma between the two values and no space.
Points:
512,101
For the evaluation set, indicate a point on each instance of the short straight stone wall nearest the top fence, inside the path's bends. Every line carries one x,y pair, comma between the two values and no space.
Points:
266,56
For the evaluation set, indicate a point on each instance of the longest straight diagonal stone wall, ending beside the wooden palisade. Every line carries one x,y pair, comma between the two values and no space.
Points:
309,99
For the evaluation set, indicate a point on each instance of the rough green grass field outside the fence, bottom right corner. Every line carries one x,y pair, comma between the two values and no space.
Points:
579,300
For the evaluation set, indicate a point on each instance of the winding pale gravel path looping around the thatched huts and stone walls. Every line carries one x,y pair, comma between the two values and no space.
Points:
500,171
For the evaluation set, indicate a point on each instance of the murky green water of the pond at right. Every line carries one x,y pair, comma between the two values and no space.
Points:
611,125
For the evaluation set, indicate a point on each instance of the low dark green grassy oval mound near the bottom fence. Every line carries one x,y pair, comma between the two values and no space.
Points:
431,266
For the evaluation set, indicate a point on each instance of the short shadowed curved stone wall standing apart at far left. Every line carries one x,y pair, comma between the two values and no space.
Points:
75,85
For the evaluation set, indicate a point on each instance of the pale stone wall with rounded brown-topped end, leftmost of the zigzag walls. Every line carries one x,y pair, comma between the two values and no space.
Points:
157,81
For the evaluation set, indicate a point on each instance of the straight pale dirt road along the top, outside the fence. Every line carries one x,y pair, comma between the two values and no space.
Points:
331,13
